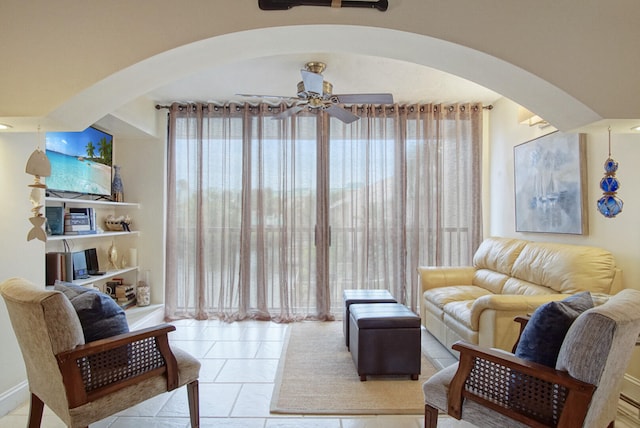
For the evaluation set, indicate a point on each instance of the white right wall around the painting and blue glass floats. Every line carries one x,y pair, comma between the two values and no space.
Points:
620,235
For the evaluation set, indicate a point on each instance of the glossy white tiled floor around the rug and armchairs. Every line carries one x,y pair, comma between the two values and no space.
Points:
239,363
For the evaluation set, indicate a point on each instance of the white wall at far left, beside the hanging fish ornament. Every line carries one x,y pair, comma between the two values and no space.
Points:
19,257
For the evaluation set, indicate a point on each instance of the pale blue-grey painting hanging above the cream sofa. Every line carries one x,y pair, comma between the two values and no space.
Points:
550,184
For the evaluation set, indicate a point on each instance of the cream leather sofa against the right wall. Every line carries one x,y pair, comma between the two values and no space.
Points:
509,277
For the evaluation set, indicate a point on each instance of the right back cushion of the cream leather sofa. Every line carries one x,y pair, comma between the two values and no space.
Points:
565,268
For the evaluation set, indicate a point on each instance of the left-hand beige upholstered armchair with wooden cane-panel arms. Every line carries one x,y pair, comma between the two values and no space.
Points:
83,383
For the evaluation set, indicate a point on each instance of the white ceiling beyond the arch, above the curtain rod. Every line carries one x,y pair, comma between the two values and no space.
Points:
349,73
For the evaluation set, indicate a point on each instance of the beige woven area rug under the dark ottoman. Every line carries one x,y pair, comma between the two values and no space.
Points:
316,375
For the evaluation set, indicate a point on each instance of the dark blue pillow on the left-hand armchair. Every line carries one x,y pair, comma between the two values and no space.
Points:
100,316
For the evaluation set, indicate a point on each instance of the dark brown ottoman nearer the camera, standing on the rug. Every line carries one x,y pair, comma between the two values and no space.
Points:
385,340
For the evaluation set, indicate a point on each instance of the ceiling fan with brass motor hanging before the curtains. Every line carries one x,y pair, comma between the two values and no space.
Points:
316,93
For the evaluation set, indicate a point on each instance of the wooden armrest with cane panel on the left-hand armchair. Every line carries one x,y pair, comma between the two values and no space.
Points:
101,367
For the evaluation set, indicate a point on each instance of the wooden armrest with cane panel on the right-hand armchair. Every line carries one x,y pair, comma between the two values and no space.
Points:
528,392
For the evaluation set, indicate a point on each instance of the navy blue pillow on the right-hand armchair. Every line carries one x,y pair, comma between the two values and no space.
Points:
543,335
